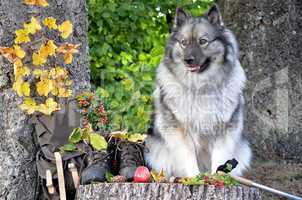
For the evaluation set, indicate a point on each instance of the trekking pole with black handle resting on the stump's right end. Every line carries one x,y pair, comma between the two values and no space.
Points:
231,164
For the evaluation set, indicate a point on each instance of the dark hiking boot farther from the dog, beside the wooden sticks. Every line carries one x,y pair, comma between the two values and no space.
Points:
98,165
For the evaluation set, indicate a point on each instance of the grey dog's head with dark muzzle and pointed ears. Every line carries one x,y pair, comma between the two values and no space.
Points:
195,43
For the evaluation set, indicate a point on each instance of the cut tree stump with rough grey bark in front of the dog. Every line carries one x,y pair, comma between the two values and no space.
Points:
166,191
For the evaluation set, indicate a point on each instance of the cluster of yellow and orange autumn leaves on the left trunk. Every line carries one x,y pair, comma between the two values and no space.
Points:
38,77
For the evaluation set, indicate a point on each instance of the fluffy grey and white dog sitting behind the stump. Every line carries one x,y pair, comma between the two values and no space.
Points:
199,103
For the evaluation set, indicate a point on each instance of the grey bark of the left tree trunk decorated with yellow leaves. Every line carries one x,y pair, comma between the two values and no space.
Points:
18,177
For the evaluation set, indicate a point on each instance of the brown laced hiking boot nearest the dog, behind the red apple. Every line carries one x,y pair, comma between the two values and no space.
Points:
131,156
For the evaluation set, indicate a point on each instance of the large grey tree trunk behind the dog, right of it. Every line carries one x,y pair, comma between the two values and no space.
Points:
270,36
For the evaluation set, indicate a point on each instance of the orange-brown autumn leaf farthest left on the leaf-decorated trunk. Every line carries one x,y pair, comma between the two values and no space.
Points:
12,54
